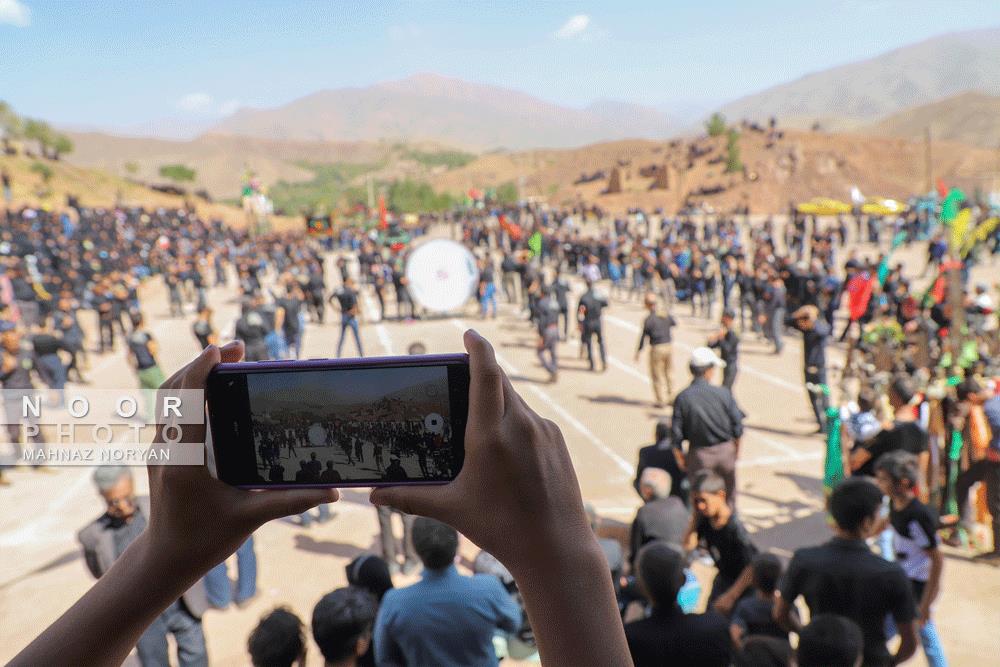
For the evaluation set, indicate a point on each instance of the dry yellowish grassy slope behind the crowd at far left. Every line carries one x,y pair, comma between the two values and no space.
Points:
97,188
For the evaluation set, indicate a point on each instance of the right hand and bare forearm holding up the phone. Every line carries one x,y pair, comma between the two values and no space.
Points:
518,479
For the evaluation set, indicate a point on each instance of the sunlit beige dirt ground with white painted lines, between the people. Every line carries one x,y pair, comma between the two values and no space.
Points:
605,418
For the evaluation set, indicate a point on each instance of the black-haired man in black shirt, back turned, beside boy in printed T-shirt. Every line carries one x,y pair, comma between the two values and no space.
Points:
844,577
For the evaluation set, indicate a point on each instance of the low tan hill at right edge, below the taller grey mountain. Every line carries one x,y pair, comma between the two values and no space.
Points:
969,118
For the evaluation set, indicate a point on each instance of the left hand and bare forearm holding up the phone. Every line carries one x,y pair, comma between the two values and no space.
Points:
196,521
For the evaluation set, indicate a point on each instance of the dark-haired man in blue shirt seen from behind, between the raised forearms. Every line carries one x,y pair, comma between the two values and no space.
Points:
446,618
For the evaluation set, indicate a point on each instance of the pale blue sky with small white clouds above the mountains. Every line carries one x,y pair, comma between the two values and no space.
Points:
116,63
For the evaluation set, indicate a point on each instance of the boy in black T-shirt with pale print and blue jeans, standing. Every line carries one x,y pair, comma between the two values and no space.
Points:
914,532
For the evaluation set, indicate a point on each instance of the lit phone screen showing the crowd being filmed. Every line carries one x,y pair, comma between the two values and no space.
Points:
354,425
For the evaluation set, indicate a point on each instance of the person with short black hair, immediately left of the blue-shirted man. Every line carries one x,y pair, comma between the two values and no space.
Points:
342,626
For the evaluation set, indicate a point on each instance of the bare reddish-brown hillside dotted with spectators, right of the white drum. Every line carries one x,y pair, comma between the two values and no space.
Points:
798,166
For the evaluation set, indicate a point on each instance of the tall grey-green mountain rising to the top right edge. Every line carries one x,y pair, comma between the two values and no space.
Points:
860,93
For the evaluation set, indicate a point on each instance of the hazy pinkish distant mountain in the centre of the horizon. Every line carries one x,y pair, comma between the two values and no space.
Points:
437,108
